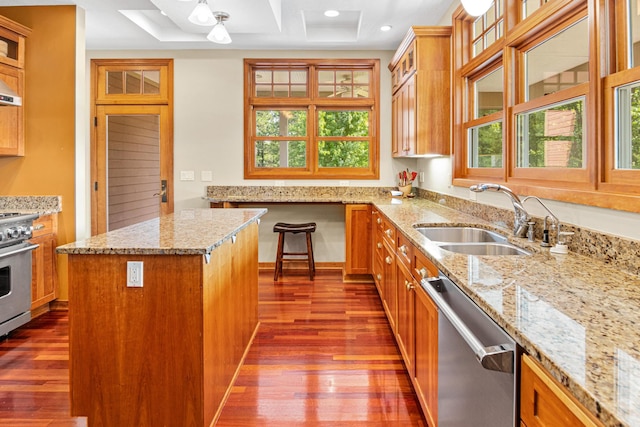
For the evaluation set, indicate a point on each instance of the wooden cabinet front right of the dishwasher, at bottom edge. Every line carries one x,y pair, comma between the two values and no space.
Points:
546,402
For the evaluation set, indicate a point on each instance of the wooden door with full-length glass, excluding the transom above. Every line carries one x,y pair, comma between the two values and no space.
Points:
133,165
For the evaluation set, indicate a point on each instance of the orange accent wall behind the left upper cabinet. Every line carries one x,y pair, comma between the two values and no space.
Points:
48,167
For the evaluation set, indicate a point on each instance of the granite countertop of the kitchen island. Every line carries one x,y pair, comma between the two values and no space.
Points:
189,232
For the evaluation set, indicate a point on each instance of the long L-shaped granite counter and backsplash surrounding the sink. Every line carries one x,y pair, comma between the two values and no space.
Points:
579,315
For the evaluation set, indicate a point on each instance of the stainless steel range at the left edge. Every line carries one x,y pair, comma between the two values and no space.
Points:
15,270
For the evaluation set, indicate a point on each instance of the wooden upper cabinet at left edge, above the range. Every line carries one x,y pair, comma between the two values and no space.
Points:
12,48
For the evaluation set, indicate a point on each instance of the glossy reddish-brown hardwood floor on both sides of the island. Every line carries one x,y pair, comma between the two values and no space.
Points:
323,355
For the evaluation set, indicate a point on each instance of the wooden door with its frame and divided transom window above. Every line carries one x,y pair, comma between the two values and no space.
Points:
132,141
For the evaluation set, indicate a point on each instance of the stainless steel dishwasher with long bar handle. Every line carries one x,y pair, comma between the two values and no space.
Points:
477,362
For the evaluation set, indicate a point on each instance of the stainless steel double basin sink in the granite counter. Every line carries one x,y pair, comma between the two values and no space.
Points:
470,240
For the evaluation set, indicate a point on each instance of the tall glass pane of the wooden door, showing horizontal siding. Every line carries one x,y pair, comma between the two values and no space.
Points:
133,169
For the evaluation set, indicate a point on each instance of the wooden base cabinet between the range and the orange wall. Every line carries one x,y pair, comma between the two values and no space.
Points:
44,276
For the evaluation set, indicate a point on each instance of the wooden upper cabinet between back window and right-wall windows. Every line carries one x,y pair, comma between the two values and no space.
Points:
420,78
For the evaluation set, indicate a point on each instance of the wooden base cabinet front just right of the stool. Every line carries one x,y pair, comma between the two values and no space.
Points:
358,241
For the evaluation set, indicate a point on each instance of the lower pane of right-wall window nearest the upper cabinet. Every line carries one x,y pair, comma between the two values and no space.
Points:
485,145
